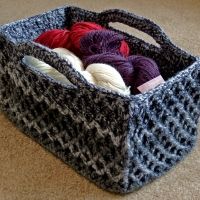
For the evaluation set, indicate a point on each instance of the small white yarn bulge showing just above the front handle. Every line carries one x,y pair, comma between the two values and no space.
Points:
68,55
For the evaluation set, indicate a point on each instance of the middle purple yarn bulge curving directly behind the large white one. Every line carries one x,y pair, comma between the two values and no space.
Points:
120,63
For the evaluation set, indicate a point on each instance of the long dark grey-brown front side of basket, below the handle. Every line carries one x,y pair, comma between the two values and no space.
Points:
85,129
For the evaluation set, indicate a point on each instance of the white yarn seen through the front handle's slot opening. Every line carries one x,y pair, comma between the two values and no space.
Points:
45,68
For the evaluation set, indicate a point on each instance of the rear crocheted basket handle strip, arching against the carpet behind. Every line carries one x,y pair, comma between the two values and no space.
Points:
143,24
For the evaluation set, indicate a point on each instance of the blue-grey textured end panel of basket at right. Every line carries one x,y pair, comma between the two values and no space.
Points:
163,128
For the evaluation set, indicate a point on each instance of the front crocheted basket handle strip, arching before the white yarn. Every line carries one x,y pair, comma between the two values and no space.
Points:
46,55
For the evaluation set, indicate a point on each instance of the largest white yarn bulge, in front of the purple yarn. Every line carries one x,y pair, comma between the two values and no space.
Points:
108,77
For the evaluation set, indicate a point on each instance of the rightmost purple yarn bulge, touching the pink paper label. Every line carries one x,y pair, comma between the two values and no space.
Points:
145,69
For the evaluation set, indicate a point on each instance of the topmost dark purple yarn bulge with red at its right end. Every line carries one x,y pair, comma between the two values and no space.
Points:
103,41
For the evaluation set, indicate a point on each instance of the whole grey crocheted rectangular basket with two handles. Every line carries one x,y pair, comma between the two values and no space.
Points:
118,142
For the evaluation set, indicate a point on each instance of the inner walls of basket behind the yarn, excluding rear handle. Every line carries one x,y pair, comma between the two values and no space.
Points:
169,62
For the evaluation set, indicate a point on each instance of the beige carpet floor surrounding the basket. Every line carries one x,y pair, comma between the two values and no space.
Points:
28,172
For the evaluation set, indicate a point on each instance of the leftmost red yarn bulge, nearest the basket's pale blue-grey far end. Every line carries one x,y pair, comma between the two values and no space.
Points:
54,38
